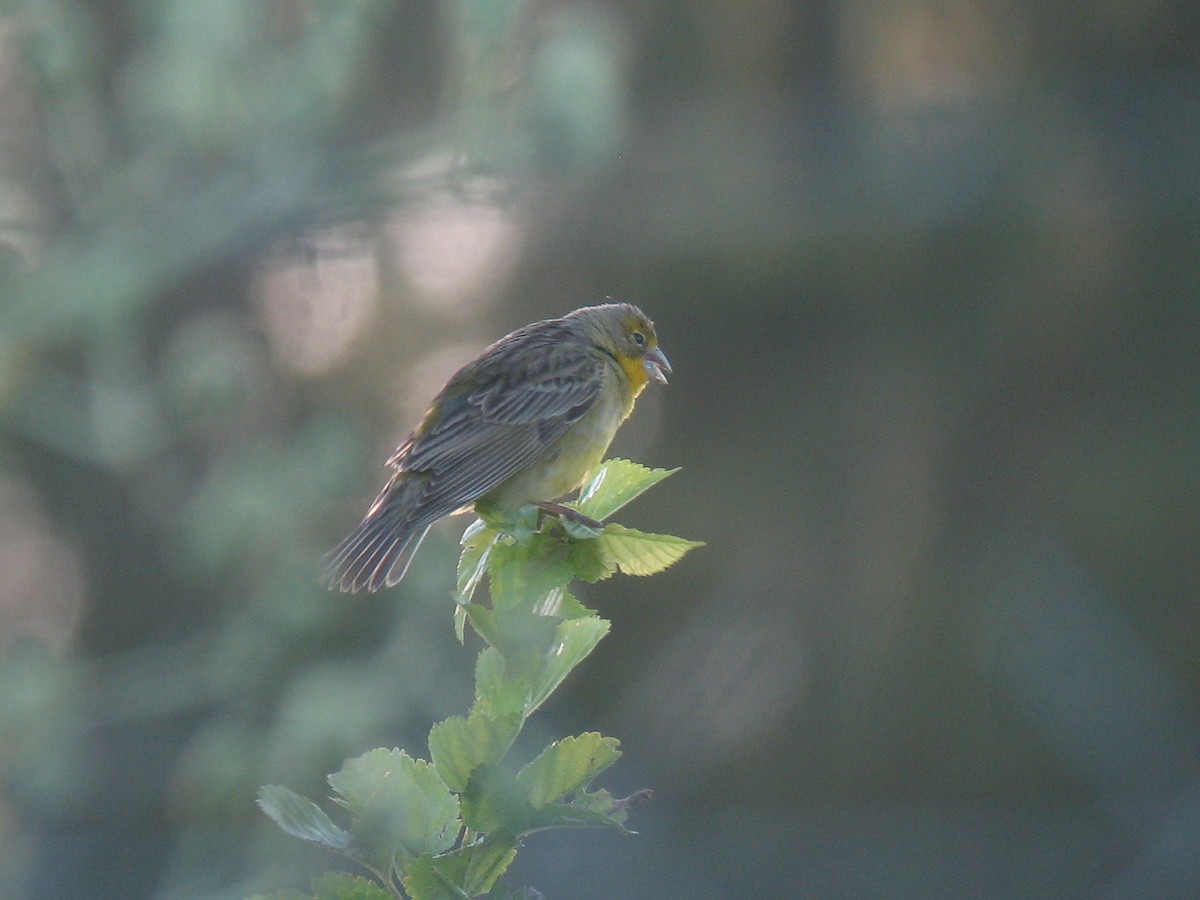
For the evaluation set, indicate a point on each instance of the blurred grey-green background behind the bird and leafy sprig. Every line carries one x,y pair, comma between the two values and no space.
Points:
928,273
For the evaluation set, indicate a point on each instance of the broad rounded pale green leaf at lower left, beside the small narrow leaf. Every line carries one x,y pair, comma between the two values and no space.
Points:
401,808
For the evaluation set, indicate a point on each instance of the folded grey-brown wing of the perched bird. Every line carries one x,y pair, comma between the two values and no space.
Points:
496,418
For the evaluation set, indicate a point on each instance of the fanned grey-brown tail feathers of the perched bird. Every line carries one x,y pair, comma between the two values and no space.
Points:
379,553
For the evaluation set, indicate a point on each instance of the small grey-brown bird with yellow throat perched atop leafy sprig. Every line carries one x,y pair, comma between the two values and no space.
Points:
525,423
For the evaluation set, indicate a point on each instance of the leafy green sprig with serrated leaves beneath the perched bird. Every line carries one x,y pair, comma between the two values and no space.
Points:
448,829
